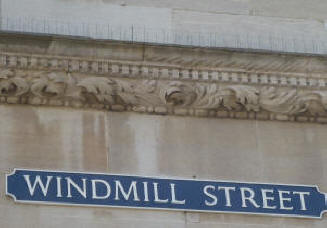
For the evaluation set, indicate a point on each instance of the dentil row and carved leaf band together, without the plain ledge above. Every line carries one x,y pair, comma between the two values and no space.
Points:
159,89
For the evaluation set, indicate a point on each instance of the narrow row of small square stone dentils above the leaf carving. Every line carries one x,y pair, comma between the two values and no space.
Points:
154,71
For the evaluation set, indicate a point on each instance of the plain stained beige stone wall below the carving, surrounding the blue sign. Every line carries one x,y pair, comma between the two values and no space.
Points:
165,146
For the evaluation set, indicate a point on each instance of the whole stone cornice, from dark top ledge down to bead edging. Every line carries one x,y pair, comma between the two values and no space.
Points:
161,79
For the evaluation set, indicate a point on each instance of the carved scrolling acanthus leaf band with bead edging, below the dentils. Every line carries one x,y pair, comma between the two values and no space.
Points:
162,96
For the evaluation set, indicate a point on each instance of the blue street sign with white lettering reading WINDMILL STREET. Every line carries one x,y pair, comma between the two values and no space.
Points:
92,189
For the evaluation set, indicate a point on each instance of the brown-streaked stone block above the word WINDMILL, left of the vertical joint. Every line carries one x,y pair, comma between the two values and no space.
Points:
48,138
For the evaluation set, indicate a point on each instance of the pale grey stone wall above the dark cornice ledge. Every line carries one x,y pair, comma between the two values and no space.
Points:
286,26
